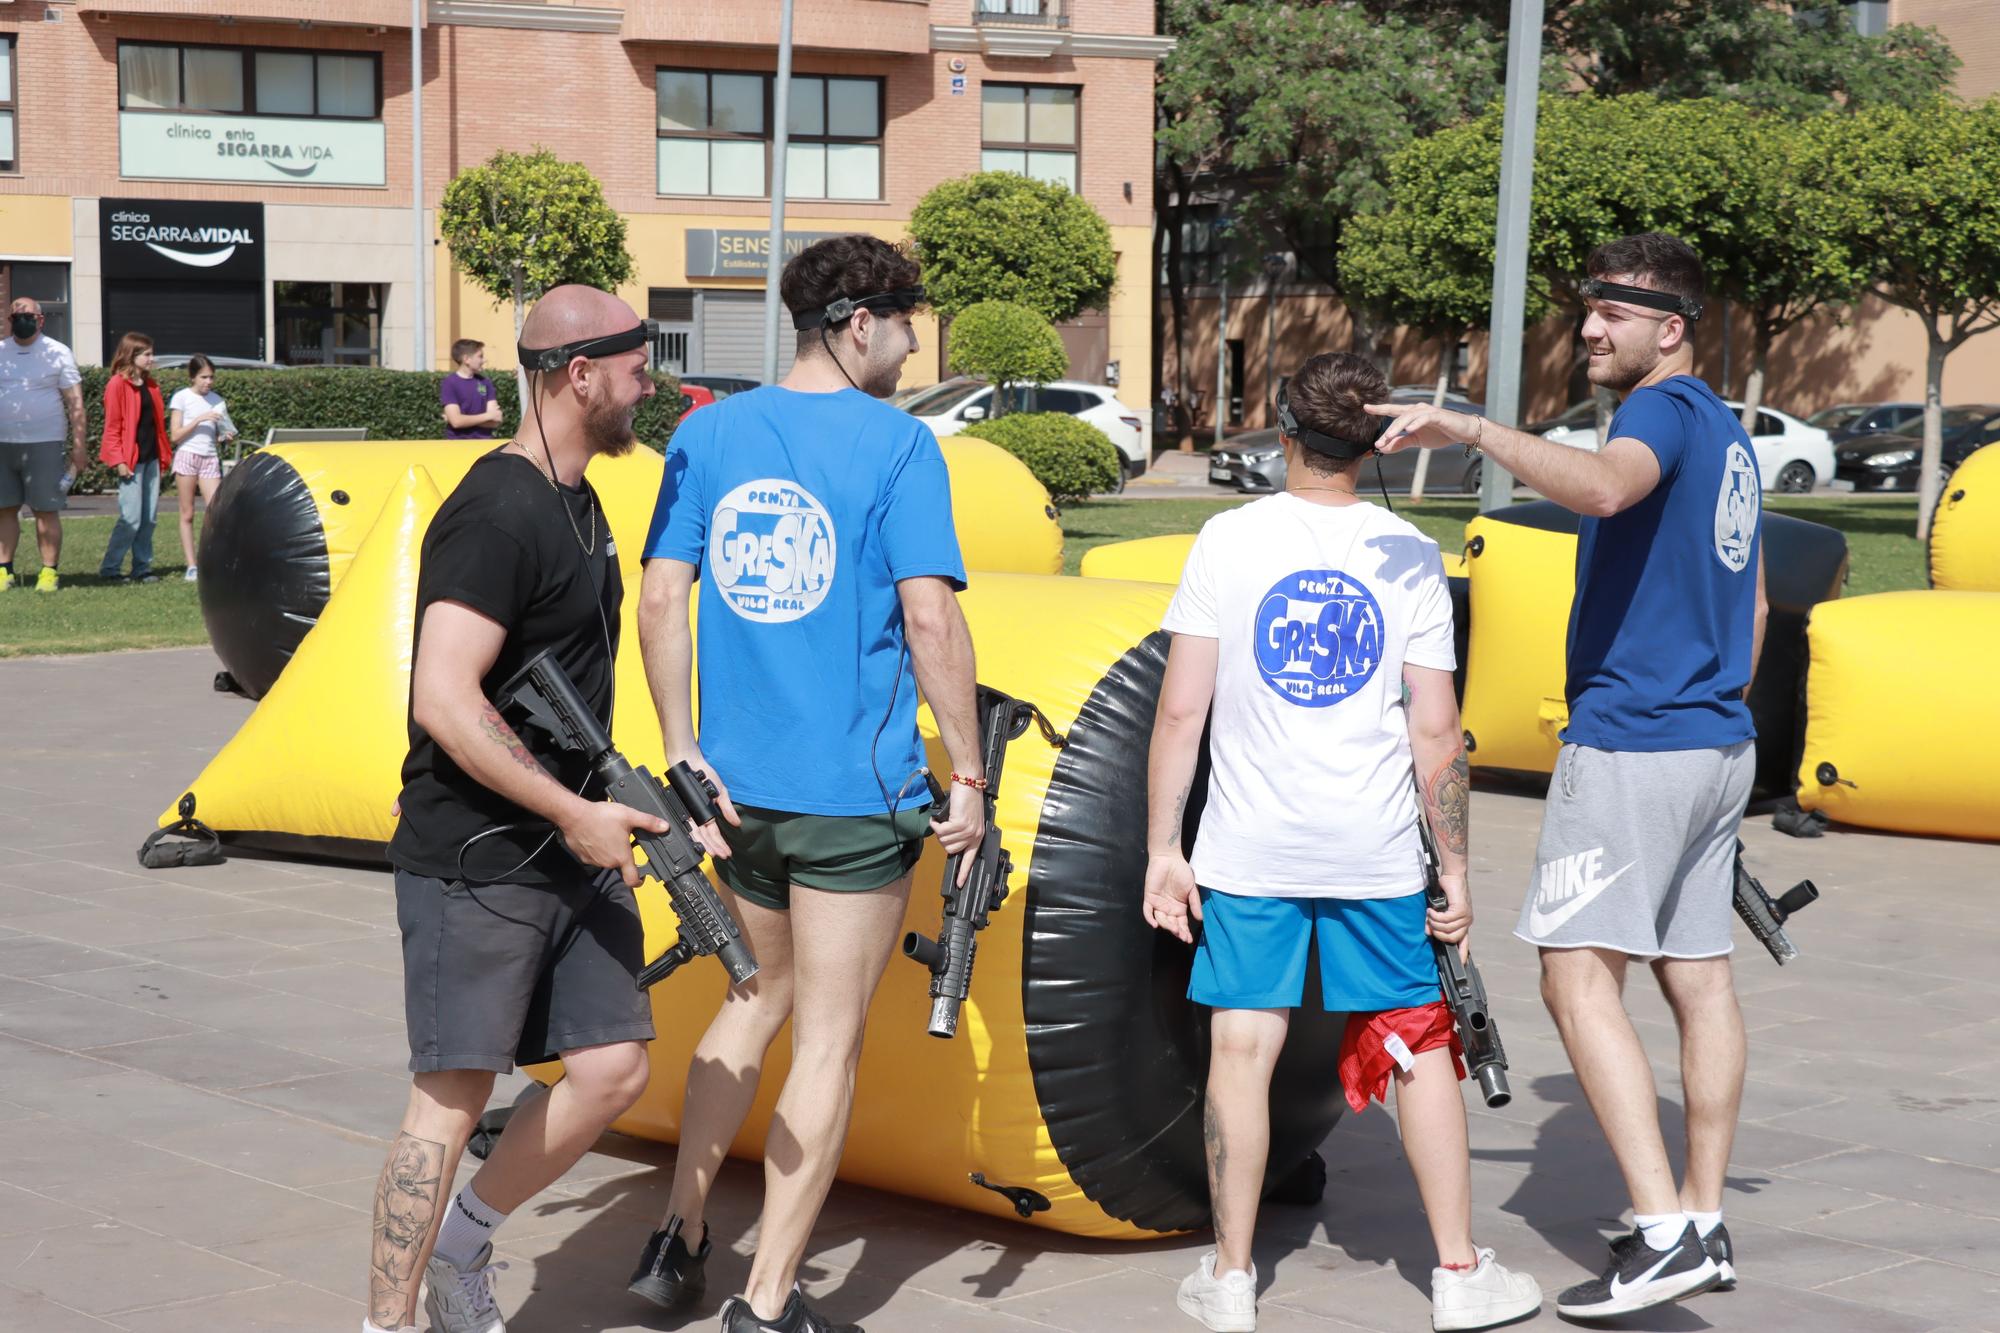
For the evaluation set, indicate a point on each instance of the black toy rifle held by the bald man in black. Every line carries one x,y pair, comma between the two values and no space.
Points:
545,696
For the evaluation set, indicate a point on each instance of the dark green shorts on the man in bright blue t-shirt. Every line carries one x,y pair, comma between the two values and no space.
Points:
839,854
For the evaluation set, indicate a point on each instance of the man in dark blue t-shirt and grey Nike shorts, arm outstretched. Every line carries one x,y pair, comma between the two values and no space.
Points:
1639,838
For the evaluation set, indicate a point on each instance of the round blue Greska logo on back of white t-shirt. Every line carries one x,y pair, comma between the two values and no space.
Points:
1319,637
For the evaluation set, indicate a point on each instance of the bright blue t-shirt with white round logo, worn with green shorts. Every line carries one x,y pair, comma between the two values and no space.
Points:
803,511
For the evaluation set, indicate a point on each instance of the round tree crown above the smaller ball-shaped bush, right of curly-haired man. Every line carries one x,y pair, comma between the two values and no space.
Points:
1005,237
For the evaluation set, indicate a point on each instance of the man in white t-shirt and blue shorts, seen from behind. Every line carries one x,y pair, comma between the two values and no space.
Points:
1313,635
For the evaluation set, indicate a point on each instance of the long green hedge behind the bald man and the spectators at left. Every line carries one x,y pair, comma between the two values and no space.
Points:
395,405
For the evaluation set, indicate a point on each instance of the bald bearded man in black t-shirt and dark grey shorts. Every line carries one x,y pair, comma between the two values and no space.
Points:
513,880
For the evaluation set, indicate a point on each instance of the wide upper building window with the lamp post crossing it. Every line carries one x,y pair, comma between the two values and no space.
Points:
717,135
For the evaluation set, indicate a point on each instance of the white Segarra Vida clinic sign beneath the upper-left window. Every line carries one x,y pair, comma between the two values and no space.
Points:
253,149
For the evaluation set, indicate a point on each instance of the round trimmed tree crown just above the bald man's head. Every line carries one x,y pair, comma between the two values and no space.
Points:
523,223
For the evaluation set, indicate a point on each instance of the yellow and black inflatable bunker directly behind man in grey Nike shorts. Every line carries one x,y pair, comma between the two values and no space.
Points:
1523,563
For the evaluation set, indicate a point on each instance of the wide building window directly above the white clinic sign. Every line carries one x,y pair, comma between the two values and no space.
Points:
241,81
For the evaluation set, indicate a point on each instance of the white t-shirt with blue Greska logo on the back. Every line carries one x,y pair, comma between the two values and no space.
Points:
1315,609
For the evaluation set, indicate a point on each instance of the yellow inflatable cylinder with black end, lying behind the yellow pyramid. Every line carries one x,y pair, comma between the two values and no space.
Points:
289,519
